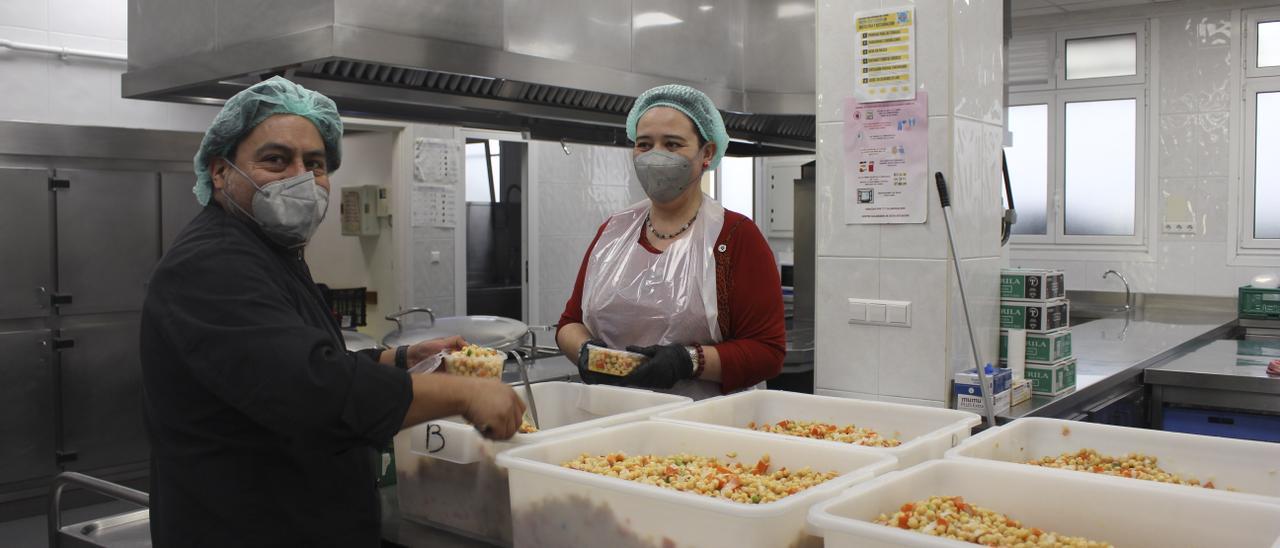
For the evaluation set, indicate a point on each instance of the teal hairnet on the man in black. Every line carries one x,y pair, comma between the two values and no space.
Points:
245,111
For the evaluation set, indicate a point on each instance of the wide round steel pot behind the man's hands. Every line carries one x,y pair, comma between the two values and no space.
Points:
493,332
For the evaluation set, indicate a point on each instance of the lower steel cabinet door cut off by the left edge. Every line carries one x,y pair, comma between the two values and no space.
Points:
26,407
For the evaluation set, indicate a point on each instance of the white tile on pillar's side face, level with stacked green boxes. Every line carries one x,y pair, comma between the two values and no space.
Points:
982,289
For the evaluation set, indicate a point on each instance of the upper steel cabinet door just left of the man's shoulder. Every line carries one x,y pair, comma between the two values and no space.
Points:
108,239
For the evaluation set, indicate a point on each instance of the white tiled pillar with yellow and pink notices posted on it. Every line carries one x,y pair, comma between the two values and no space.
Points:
961,68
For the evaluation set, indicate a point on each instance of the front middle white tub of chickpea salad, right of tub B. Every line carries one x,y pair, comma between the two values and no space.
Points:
554,506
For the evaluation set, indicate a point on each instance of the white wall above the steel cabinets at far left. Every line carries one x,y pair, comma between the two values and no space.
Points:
42,88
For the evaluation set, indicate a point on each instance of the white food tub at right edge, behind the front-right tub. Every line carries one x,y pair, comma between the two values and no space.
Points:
1250,468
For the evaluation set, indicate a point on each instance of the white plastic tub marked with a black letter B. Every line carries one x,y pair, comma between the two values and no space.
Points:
446,473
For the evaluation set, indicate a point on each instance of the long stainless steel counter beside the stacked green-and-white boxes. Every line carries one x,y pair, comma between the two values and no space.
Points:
1114,351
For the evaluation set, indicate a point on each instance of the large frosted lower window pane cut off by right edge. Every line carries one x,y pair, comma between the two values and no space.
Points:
1267,165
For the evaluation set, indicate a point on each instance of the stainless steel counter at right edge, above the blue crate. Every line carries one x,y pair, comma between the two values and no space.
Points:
1227,375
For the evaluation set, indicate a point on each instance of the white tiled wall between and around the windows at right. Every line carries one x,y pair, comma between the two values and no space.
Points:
1195,95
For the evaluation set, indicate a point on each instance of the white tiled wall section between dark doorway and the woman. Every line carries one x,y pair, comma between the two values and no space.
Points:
572,195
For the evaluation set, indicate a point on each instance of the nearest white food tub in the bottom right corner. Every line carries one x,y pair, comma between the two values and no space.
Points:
1126,514
